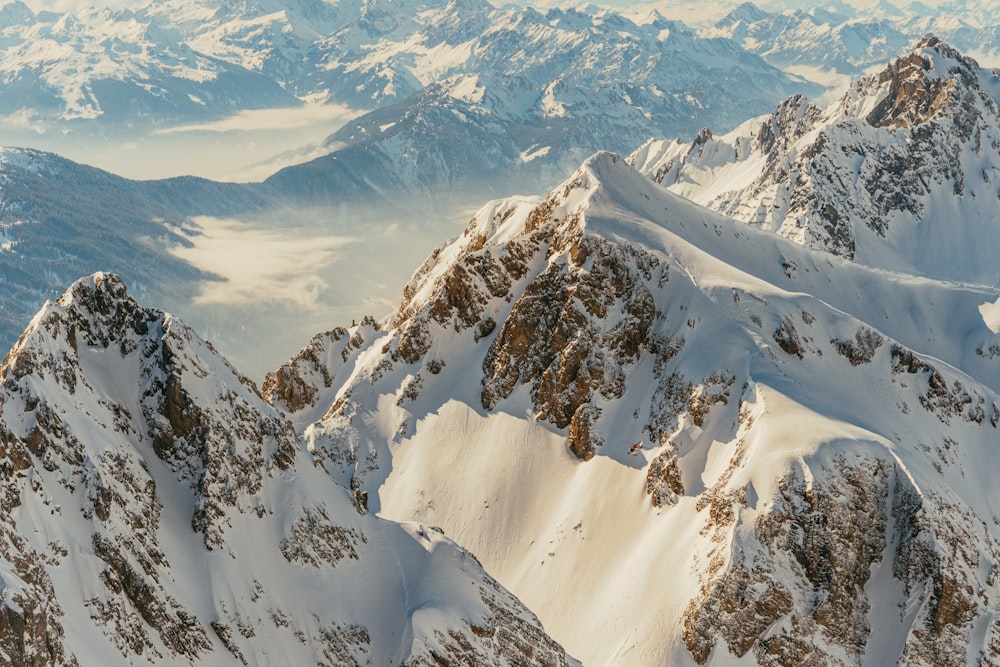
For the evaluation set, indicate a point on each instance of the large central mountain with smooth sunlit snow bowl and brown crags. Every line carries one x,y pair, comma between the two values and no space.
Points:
818,436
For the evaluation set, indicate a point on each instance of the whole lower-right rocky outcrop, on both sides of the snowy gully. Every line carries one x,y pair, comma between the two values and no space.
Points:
807,600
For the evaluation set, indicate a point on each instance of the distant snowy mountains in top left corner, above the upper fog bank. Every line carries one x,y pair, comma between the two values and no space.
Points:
115,66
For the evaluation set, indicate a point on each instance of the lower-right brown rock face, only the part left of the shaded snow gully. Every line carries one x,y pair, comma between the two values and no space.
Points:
830,549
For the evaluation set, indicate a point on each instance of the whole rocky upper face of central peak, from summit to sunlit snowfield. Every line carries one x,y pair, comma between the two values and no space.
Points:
576,313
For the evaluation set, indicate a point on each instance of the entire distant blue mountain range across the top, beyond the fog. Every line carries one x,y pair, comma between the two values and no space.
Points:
514,85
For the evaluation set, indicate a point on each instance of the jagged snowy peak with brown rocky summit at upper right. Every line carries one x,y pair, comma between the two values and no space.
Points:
901,173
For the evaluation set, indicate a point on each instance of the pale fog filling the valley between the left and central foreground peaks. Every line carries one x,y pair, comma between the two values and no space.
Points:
285,277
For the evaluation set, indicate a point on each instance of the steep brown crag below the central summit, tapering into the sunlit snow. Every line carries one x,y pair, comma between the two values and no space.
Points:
561,341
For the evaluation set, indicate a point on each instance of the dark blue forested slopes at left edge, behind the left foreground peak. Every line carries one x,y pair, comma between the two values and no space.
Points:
60,219
